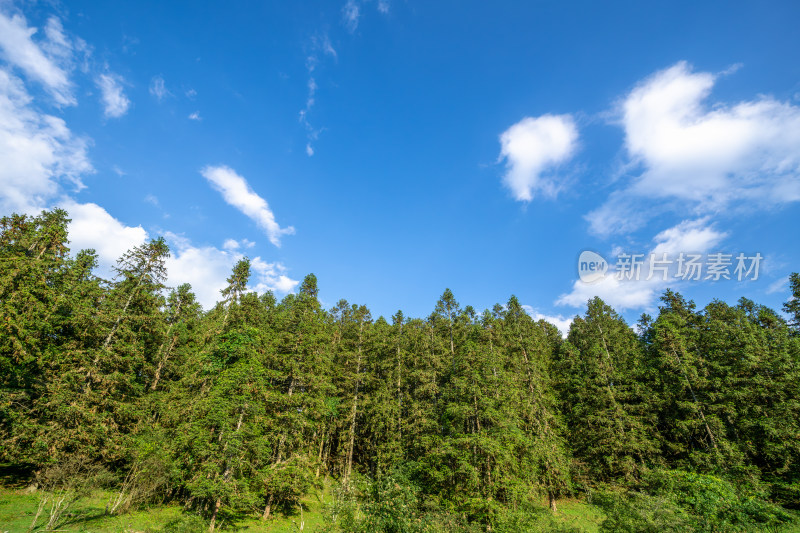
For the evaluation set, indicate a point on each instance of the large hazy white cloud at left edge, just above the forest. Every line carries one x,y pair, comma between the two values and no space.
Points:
37,150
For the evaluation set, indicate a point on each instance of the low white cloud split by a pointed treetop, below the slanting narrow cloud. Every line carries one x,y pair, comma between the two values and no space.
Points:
207,268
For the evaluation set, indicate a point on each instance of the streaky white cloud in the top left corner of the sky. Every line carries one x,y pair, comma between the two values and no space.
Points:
47,64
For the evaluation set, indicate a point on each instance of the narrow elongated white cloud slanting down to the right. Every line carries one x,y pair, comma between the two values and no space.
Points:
236,192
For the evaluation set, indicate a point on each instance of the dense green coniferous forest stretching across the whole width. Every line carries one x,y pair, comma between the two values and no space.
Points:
464,420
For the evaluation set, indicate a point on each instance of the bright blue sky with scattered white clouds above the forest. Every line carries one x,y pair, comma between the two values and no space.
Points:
396,148
